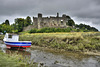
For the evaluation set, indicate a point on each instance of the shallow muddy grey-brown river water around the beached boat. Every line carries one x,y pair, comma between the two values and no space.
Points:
48,58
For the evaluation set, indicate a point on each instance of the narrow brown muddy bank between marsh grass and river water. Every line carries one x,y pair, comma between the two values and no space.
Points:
96,53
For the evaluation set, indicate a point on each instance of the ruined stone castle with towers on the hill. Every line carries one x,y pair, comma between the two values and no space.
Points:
56,22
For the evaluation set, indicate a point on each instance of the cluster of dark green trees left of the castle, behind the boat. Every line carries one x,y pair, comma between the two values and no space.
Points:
18,26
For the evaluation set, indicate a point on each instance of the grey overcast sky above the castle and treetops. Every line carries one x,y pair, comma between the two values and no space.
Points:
81,11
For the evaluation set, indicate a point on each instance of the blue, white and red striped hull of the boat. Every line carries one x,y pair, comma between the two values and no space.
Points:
23,44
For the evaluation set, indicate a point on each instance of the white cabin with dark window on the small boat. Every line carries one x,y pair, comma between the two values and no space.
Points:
11,37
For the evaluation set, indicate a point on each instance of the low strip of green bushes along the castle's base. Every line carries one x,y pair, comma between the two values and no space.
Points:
49,30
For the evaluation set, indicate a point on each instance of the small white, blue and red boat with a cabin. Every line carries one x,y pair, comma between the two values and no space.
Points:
11,40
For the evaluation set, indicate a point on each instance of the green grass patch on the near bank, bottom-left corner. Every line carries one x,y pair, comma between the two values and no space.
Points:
14,60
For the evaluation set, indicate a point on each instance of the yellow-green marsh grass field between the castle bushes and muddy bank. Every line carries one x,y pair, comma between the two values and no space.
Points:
72,41
